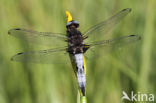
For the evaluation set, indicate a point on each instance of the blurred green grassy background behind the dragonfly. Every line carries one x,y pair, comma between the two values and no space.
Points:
131,68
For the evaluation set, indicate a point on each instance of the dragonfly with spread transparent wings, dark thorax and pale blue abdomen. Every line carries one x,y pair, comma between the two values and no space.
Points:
74,44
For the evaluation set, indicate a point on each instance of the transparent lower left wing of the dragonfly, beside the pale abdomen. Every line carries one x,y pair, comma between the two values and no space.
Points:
58,55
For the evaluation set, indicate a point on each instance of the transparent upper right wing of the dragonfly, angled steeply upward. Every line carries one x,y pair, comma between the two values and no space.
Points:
105,26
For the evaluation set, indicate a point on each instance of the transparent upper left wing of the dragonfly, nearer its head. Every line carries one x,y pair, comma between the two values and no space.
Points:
45,38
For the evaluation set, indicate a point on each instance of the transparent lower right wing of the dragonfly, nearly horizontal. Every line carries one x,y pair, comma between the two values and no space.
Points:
109,46
